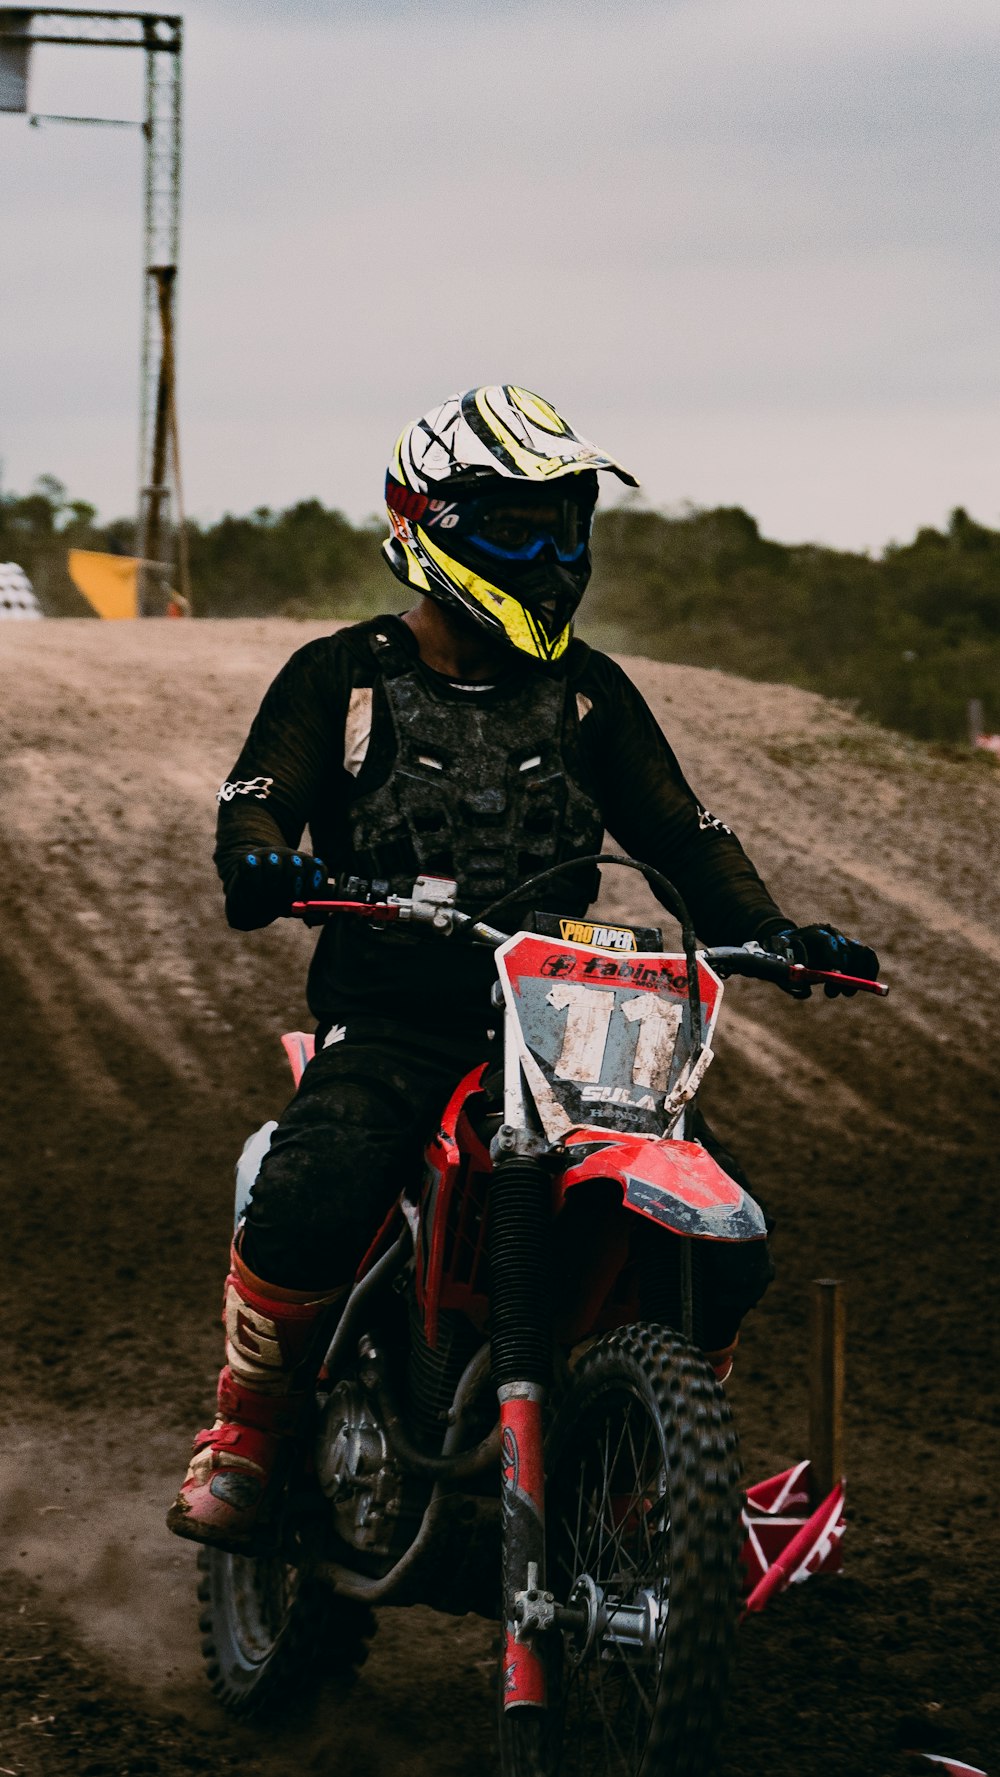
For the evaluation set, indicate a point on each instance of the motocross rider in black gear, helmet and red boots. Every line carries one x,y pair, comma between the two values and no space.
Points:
472,738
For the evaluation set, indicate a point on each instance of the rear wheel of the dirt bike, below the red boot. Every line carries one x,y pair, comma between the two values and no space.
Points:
271,1632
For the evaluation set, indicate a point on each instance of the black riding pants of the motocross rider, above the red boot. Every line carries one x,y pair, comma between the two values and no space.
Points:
353,1138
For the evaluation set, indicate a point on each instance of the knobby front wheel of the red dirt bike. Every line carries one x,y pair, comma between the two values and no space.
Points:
644,1529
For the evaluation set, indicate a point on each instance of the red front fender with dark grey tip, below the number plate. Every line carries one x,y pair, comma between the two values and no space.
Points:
672,1183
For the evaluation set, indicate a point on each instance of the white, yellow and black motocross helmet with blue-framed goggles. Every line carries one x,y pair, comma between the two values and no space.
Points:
491,498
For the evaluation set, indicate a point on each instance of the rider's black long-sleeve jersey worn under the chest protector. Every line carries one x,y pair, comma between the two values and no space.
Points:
294,774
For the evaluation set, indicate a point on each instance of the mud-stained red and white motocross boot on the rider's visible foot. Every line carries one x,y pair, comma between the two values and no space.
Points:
239,1465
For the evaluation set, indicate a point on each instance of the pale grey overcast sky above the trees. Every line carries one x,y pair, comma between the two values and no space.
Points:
747,246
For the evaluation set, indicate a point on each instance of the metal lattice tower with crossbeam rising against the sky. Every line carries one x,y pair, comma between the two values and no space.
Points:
159,527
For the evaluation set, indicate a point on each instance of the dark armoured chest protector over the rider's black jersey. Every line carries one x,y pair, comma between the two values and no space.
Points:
484,788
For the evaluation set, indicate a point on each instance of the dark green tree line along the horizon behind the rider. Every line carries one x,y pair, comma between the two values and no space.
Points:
909,637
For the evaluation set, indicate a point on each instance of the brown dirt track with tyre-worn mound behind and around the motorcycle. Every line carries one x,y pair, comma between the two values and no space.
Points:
141,1048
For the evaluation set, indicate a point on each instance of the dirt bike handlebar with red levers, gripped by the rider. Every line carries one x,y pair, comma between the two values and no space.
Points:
434,911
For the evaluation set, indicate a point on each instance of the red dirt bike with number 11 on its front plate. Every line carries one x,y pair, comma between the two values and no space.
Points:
514,1415
